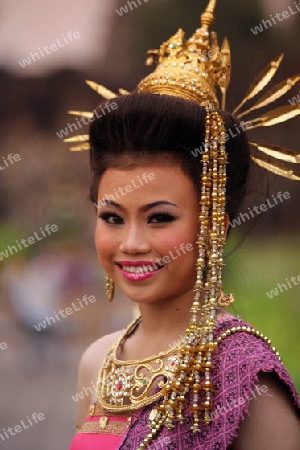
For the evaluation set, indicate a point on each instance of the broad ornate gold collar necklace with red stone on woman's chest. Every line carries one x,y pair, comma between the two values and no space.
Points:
129,385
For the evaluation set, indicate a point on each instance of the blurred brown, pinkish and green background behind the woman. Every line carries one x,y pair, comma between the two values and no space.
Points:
49,185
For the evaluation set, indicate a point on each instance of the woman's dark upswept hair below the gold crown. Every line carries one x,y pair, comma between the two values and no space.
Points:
146,125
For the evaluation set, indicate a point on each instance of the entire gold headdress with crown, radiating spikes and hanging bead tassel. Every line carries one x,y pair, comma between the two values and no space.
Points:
195,69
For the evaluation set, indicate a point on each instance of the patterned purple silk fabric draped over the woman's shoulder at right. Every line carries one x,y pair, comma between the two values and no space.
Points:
238,359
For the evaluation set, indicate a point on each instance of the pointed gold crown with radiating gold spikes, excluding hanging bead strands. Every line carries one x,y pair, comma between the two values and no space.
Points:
195,69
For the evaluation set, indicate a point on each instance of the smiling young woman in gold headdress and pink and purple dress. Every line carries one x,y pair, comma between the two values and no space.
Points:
185,374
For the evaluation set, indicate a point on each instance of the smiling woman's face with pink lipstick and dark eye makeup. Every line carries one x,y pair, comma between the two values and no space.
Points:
147,224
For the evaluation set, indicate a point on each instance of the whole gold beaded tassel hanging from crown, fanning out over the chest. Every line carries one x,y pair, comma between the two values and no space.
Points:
195,355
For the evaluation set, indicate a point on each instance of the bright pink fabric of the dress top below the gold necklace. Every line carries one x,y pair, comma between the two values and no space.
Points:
92,441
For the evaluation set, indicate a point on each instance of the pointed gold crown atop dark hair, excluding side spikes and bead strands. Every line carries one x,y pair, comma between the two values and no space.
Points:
192,69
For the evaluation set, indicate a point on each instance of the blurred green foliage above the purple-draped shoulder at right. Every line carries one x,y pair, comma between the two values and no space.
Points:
256,268
